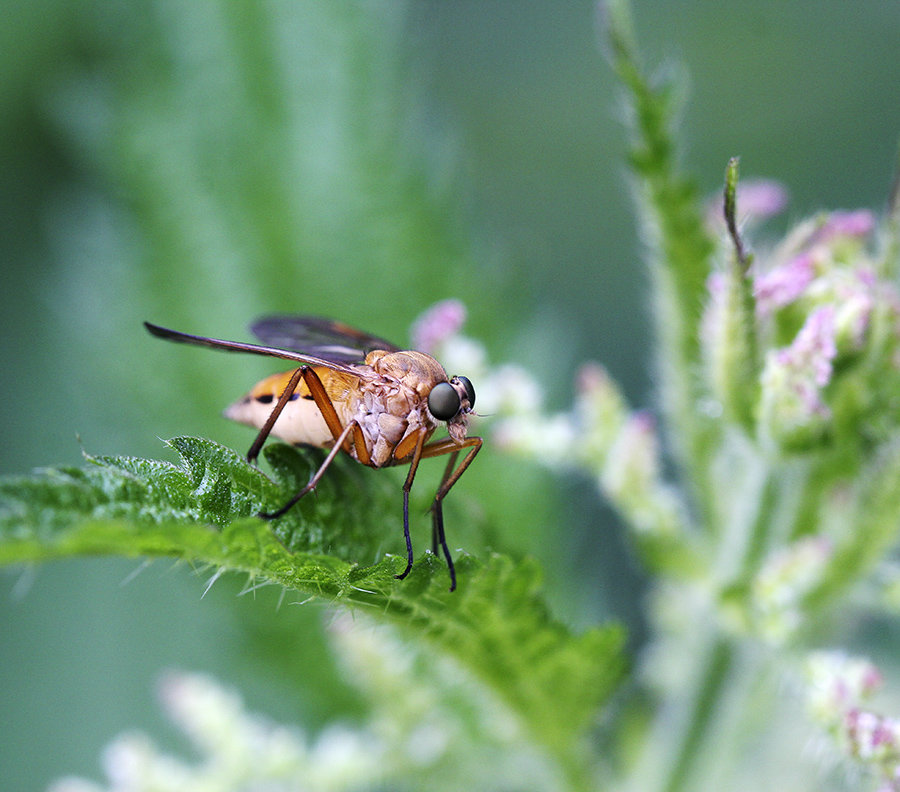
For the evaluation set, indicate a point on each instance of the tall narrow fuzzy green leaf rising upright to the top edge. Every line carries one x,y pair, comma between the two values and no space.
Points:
679,250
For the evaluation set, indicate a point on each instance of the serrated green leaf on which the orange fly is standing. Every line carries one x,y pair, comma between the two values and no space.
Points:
203,509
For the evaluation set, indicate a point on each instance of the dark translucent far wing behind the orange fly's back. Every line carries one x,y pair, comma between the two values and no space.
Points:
323,338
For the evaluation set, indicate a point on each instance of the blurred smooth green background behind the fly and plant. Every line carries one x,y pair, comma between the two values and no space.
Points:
202,164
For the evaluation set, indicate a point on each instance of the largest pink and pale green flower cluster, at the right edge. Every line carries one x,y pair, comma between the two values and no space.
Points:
819,307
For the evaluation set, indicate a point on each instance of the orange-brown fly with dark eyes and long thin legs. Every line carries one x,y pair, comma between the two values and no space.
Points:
356,393
